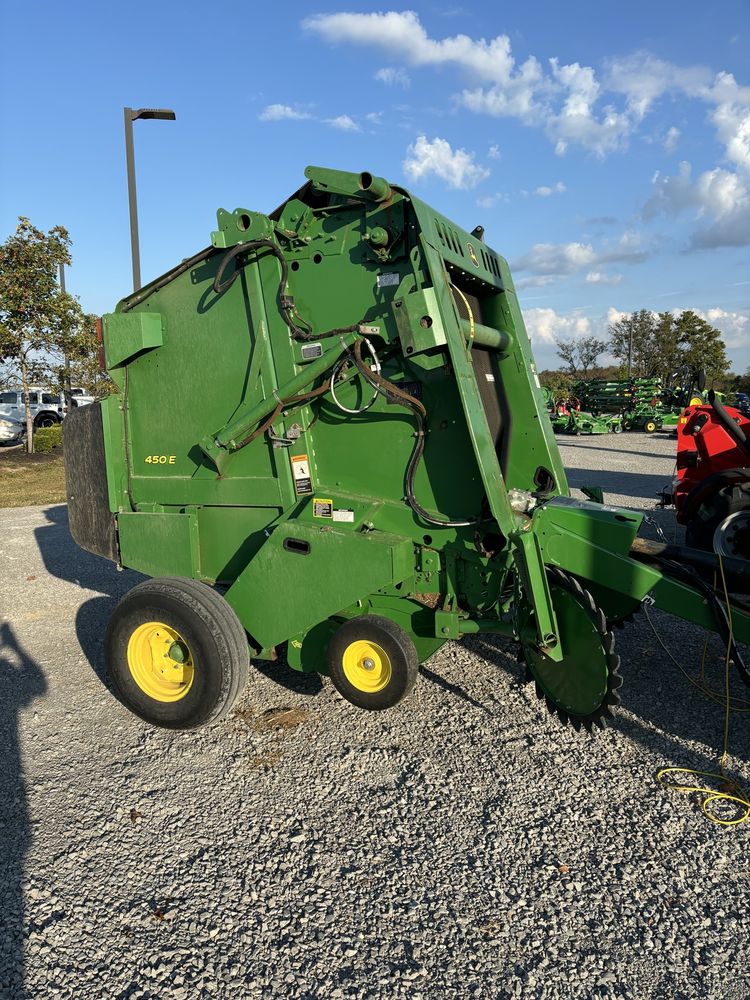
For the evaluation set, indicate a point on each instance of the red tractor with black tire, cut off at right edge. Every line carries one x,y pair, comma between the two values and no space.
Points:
712,488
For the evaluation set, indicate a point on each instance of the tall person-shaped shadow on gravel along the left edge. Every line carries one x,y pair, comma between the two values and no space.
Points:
21,681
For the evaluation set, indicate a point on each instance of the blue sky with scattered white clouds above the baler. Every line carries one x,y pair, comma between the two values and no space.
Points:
604,147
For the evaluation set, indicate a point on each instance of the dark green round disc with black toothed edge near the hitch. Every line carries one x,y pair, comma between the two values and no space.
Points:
581,688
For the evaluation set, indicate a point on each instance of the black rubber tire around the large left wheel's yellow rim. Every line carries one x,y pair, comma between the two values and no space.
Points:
216,642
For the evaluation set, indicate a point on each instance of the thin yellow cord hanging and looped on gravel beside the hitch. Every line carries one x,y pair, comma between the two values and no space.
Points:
728,790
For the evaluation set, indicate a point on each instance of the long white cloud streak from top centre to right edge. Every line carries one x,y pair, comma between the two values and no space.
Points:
568,101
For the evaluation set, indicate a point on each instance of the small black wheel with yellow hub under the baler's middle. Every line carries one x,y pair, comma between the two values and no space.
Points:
372,662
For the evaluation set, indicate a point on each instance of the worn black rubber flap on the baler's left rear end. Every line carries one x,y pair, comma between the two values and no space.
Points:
92,524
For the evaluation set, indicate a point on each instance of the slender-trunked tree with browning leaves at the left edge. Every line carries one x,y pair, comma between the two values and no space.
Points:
33,310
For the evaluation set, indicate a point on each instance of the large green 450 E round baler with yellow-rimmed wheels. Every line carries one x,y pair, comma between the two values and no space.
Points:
329,436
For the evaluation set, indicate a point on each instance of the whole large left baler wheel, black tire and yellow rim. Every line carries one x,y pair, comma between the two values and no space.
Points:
176,653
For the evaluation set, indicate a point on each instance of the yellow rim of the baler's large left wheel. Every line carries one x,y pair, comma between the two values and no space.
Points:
160,661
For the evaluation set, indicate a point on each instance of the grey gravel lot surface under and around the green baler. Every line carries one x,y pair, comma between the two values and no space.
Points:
461,845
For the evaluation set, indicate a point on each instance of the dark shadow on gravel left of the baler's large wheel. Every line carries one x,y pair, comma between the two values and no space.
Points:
65,560
